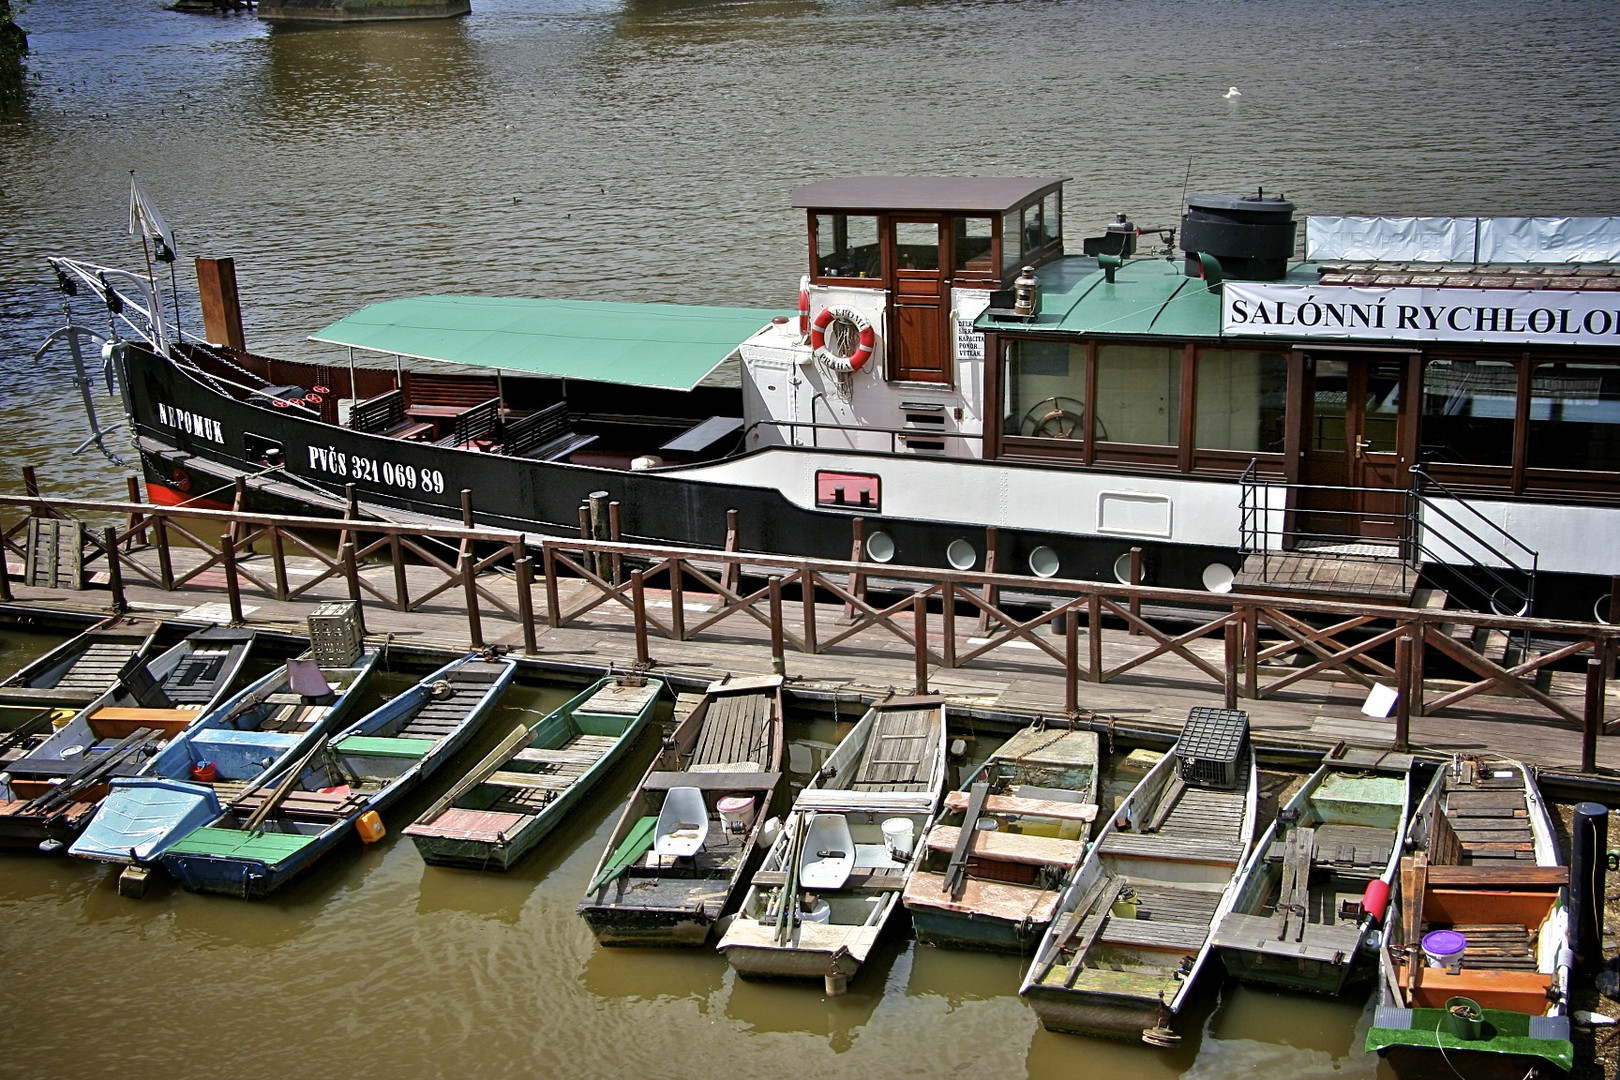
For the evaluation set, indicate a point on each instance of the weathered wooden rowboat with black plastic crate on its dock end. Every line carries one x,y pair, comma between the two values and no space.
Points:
1133,930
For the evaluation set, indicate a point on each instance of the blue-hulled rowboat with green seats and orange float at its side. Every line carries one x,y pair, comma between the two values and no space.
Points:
294,817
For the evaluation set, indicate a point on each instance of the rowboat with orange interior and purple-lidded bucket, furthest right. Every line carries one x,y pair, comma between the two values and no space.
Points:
1475,971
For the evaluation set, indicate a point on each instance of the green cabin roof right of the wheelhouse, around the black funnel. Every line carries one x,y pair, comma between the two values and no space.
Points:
1148,299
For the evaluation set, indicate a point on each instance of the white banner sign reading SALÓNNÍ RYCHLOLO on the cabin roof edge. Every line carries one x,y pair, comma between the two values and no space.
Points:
1541,317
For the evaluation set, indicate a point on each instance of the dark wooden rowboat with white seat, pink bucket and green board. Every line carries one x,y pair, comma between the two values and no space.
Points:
727,760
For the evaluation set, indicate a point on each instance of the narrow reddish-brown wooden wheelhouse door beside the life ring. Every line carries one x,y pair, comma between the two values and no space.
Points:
921,302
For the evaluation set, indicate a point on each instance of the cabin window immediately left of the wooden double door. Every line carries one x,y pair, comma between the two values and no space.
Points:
1242,401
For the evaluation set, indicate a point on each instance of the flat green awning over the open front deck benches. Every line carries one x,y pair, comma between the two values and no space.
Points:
649,346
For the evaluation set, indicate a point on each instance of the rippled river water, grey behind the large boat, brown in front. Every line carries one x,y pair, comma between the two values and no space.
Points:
647,150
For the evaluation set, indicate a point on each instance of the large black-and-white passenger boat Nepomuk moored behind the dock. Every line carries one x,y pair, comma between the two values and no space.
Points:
1418,402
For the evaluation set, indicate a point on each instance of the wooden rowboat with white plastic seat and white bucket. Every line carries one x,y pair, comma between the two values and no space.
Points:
882,786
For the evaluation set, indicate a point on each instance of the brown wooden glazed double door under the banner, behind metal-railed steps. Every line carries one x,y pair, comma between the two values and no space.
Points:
1352,464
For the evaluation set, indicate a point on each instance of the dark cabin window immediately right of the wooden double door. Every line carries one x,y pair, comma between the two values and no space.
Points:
1469,412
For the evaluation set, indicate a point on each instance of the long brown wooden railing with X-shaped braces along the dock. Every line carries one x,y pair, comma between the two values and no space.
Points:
947,618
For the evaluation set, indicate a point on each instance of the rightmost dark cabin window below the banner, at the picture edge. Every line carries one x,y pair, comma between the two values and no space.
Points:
1575,417
